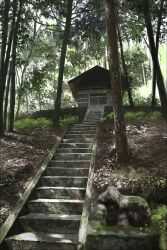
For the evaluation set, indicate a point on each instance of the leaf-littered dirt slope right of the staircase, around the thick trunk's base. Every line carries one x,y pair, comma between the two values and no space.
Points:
146,172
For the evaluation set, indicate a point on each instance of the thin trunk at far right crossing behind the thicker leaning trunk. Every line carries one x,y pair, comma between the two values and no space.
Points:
157,48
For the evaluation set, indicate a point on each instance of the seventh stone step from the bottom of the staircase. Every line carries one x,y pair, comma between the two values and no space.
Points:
70,163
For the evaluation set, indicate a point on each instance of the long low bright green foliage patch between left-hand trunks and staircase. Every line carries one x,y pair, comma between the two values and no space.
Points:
29,124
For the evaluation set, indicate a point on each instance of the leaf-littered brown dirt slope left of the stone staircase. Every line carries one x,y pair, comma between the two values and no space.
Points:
19,161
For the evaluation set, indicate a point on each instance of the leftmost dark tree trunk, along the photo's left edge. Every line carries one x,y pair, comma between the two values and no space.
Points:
5,20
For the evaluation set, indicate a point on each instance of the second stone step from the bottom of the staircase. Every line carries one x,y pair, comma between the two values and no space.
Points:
50,223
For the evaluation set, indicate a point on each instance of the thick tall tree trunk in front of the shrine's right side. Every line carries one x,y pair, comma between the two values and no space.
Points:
113,55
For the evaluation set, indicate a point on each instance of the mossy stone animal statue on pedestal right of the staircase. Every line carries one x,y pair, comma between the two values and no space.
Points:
123,210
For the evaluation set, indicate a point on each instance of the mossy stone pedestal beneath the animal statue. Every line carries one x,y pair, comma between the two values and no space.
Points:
115,238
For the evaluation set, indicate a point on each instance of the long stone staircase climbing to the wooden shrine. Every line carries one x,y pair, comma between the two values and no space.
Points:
55,213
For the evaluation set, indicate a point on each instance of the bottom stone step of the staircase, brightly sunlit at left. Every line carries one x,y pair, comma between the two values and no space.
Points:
37,241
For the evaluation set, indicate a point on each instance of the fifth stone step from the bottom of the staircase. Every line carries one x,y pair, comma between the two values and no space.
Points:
63,181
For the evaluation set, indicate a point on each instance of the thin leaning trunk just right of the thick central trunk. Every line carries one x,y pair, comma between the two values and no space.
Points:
129,90
